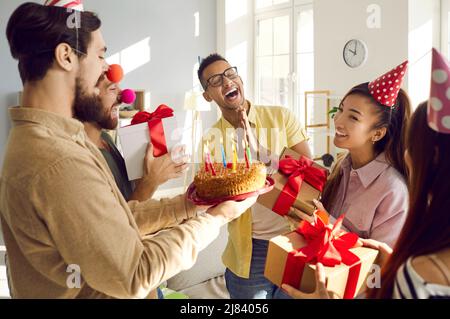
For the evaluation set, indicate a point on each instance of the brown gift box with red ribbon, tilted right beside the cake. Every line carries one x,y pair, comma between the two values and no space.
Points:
298,181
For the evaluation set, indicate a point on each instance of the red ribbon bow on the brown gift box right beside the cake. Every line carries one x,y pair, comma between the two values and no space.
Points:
297,172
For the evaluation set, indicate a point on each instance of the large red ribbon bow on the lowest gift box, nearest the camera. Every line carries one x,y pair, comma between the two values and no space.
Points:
328,245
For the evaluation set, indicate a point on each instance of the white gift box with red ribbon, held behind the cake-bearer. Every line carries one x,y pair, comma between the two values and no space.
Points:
160,128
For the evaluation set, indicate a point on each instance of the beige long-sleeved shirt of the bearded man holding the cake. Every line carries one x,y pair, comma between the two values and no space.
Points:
60,206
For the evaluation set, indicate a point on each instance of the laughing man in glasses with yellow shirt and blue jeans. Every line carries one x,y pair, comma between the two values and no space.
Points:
268,129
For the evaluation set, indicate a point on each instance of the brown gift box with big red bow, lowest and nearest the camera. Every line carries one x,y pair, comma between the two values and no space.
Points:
291,259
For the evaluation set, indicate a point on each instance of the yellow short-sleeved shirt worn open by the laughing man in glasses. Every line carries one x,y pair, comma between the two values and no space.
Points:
276,128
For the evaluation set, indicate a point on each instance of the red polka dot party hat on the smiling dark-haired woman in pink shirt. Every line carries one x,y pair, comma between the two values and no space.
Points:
385,89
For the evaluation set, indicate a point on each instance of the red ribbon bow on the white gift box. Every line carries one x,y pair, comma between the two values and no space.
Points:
155,127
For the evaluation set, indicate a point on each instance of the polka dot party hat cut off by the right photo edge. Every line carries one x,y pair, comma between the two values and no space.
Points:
439,102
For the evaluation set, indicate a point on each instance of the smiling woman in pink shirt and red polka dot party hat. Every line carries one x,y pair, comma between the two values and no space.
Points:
370,123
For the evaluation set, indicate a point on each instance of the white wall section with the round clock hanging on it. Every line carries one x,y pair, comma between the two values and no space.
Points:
337,21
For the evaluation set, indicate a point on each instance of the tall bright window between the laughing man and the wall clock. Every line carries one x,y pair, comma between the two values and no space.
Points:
284,53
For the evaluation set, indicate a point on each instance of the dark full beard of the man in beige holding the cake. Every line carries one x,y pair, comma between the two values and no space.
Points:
89,108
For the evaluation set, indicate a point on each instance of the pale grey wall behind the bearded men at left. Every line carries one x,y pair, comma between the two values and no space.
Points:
155,40
